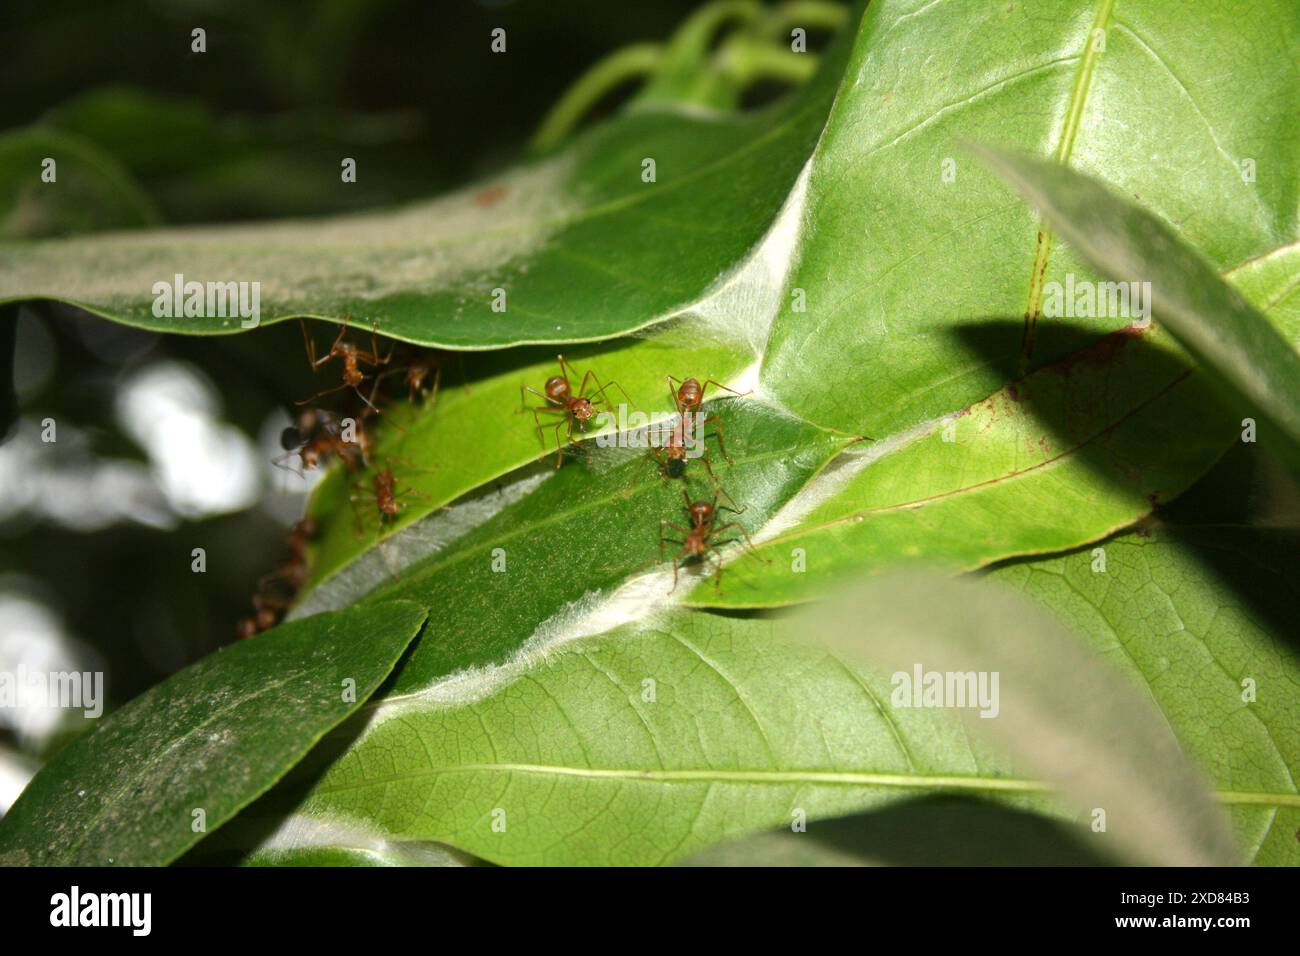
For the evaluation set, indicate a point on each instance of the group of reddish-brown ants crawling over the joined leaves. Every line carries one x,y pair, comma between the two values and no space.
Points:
320,435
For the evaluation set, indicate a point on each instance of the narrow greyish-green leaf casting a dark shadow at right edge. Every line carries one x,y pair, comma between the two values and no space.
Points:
1234,343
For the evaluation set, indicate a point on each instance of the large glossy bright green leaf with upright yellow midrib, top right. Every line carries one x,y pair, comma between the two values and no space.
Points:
900,261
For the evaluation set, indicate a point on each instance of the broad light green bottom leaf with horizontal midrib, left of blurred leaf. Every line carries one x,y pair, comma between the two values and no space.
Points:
565,751
